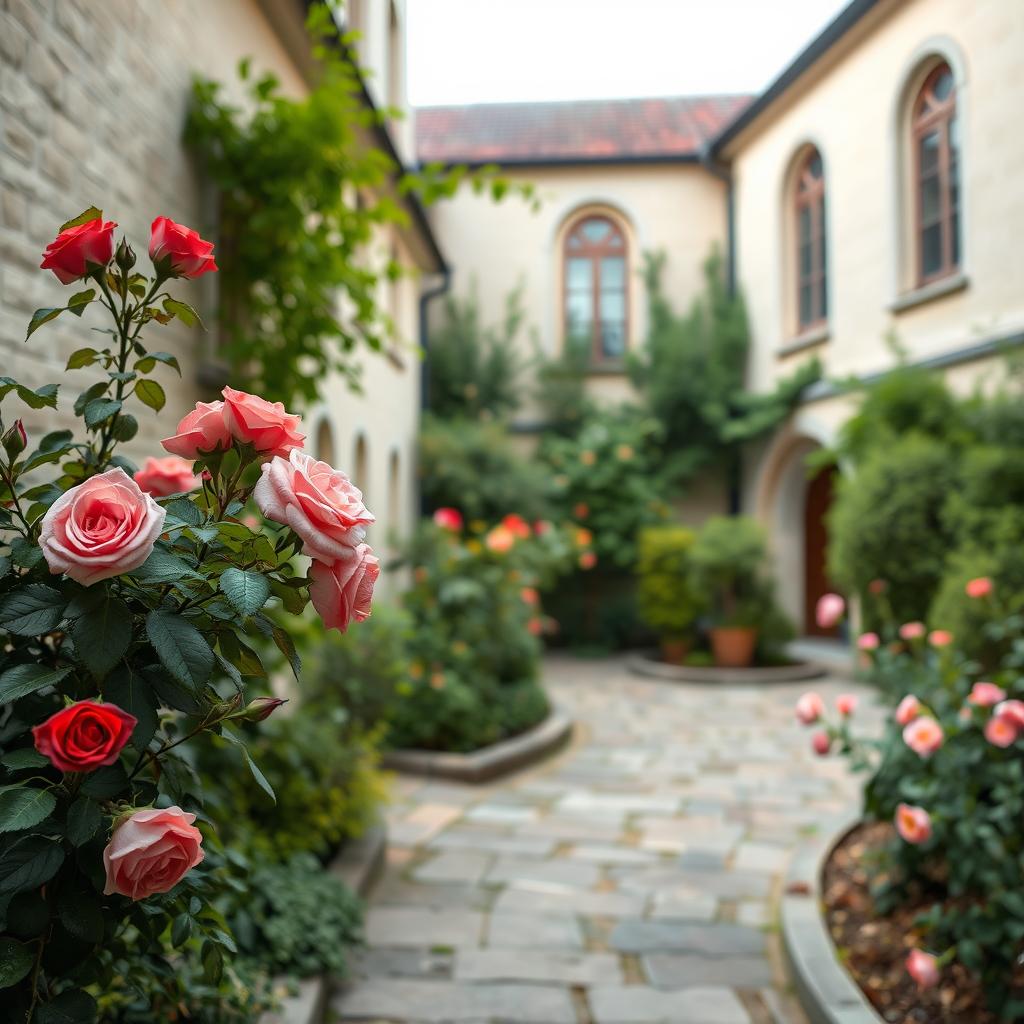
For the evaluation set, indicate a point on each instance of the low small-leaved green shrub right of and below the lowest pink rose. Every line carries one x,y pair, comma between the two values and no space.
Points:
296,919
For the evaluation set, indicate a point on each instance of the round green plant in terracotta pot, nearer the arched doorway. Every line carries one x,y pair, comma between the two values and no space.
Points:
728,565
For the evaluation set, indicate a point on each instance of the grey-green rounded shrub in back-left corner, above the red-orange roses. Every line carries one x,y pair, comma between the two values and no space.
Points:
475,467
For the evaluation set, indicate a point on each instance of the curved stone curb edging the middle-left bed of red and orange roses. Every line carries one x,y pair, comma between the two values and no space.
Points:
487,764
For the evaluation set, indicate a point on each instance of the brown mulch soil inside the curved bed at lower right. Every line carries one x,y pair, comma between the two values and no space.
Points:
874,949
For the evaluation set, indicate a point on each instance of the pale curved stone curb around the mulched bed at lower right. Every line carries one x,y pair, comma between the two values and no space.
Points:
826,991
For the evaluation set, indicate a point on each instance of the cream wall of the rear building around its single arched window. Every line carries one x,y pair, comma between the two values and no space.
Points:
678,208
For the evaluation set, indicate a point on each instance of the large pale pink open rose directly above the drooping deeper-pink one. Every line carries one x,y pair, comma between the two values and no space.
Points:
320,503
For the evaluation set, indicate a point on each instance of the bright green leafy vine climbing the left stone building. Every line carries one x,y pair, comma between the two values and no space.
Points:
300,297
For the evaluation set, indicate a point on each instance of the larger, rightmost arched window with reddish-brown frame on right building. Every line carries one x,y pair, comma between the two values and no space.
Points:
936,176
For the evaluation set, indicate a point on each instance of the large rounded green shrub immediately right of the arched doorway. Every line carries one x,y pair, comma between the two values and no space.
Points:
888,524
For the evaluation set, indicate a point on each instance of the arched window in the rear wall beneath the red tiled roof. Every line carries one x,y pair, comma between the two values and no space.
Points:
596,287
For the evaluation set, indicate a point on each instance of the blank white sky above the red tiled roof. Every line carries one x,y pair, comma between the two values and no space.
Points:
462,52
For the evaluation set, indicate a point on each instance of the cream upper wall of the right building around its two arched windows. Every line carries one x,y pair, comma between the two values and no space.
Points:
855,112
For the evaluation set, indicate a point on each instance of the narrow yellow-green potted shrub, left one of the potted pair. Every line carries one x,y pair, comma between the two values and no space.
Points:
668,602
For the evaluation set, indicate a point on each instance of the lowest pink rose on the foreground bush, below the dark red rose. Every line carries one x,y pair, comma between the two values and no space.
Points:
151,852
